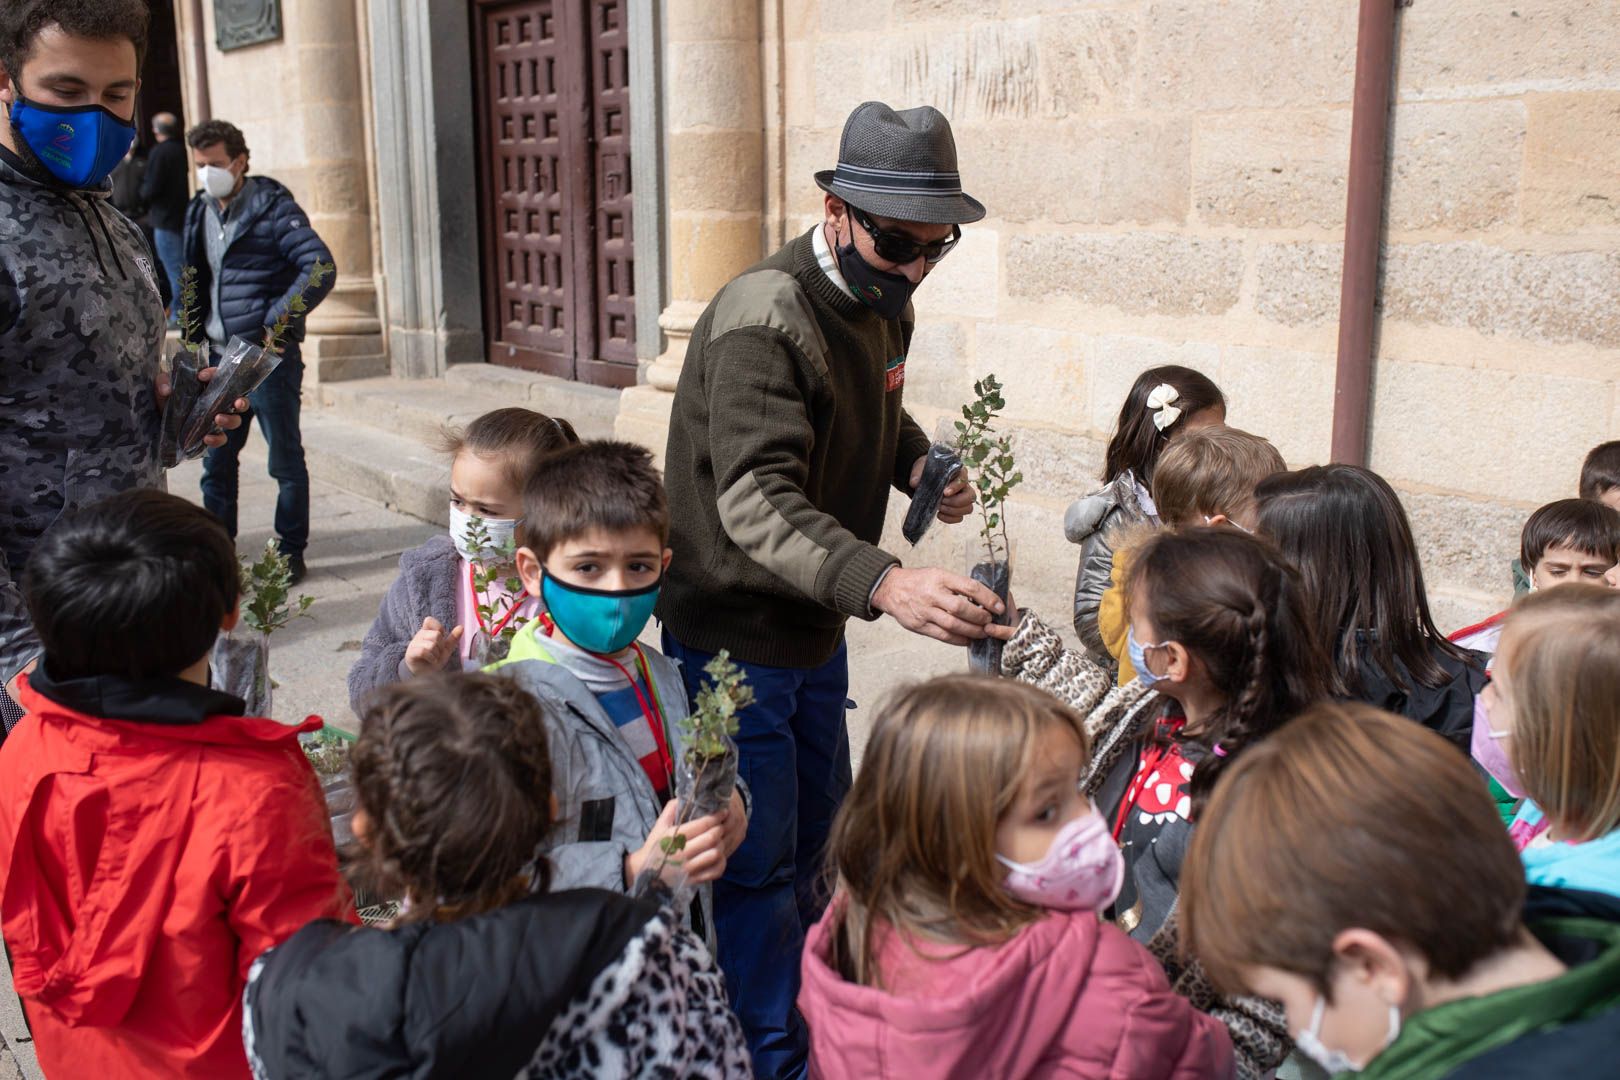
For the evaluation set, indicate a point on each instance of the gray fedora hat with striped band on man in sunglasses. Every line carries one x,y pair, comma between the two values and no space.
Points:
902,166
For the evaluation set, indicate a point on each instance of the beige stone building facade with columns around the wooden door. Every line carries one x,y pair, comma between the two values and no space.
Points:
1166,181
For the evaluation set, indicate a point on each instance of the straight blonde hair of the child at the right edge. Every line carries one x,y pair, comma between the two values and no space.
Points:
1564,681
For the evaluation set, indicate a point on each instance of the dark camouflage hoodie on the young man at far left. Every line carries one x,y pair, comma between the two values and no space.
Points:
82,331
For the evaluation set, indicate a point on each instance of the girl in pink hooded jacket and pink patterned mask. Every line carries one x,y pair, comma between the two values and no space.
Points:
965,940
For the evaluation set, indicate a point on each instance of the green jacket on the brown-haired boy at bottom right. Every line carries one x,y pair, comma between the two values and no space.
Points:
1446,1040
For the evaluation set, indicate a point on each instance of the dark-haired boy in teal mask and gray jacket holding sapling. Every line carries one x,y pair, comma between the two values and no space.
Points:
592,550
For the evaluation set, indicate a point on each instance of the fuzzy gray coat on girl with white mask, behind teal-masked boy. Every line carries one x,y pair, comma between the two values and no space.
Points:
425,587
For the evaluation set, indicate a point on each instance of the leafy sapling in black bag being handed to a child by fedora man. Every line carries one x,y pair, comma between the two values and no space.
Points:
989,462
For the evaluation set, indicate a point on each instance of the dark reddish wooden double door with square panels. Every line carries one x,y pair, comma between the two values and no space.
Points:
555,187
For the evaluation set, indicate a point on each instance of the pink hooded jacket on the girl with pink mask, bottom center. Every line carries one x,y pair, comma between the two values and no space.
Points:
1067,998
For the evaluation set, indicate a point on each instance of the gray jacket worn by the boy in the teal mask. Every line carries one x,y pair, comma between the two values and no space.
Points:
607,804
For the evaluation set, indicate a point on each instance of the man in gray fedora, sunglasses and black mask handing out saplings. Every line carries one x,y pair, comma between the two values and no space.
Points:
787,438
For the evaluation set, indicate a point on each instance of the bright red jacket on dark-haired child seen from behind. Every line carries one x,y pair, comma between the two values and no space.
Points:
145,864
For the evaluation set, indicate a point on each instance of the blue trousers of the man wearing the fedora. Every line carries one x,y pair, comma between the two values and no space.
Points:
793,752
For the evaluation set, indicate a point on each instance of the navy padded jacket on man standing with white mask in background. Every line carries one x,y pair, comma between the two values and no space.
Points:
270,255
